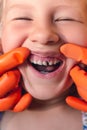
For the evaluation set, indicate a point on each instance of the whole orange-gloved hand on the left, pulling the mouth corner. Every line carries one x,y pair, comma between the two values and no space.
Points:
11,97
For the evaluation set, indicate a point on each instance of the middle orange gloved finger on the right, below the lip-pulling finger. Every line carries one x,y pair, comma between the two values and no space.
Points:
79,77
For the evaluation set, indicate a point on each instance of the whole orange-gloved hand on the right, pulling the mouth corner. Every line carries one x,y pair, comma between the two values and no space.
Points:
78,74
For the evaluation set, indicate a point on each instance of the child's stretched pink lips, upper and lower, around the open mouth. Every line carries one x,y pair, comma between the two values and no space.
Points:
51,74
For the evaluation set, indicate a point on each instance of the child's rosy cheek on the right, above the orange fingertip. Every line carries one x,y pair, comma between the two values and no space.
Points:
75,34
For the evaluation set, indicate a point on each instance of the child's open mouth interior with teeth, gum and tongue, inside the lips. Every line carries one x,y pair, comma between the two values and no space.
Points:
45,65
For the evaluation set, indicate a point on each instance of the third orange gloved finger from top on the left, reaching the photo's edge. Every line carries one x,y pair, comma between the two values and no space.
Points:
9,101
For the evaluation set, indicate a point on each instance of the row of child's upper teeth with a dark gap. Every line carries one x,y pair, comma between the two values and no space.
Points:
45,63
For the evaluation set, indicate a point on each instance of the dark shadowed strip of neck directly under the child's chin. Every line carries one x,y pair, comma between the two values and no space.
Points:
47,104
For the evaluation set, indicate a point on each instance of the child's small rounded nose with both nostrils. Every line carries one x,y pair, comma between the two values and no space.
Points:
44,35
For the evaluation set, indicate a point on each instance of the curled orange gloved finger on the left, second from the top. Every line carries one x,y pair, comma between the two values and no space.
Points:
9,81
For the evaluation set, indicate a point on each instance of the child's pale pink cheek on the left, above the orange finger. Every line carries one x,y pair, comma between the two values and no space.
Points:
12,38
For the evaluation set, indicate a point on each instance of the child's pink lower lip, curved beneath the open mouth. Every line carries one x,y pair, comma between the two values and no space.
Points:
46,76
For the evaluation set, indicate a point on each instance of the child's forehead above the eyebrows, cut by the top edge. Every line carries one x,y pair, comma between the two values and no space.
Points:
45,5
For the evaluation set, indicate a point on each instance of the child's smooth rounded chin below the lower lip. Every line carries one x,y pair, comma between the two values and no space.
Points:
47,90
